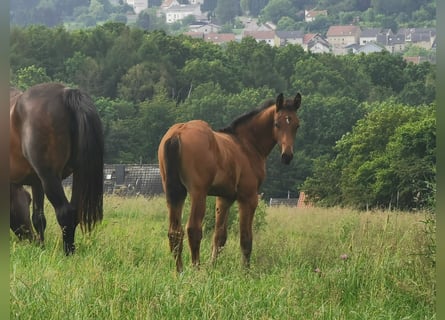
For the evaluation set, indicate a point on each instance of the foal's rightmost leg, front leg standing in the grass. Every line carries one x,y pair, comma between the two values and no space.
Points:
247,210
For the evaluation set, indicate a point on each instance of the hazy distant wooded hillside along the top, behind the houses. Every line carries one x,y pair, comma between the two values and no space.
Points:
286,14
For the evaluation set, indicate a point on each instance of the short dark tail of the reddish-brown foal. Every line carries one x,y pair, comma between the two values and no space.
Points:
174,189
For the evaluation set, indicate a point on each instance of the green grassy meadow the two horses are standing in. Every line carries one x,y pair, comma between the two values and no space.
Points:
306,264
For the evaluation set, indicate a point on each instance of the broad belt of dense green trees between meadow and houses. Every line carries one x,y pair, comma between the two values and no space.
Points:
143,82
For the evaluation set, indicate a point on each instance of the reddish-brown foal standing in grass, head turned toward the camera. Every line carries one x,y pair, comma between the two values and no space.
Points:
229,164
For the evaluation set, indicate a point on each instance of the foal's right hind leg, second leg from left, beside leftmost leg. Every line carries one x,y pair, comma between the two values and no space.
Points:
194,225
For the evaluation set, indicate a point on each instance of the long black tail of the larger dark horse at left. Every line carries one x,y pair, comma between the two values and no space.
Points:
88,151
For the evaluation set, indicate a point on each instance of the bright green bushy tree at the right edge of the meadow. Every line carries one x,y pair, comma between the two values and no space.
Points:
386,161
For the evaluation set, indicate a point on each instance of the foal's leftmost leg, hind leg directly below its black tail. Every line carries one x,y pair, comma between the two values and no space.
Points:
176,233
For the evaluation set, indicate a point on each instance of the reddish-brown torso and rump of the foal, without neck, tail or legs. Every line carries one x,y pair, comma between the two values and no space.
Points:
209,161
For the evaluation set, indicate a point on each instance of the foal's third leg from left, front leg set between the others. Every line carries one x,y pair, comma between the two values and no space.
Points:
221,218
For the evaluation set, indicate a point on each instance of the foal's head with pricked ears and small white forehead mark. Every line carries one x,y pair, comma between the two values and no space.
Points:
286,124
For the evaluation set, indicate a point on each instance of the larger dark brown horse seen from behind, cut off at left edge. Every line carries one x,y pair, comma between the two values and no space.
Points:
56,131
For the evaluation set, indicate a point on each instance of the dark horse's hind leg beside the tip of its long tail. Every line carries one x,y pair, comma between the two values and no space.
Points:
65,212
